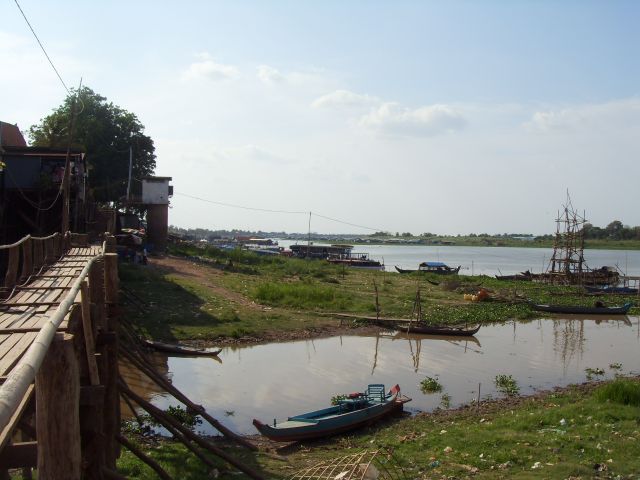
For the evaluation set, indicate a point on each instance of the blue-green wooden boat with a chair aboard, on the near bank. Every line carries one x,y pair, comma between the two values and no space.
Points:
355,411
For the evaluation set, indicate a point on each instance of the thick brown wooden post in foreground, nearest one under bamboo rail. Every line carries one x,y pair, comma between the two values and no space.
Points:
57,412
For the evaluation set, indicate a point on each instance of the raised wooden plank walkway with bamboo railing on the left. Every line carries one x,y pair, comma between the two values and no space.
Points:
31,305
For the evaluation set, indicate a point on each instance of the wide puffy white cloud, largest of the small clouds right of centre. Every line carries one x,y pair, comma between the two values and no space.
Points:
393,119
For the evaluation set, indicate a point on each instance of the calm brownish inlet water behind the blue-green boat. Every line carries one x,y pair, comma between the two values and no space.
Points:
283,379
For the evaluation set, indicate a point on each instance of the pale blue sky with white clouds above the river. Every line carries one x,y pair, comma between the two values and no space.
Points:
448,117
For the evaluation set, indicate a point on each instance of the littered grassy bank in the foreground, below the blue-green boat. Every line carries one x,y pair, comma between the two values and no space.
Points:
584,431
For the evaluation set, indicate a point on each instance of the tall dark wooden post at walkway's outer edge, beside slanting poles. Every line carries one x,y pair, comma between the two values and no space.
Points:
110,353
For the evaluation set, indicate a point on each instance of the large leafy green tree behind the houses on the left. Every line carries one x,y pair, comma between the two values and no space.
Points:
105,132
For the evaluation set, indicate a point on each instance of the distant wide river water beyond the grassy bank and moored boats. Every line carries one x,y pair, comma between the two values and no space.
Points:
490,260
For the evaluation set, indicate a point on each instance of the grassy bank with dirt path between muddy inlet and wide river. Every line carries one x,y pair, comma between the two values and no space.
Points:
236,295
